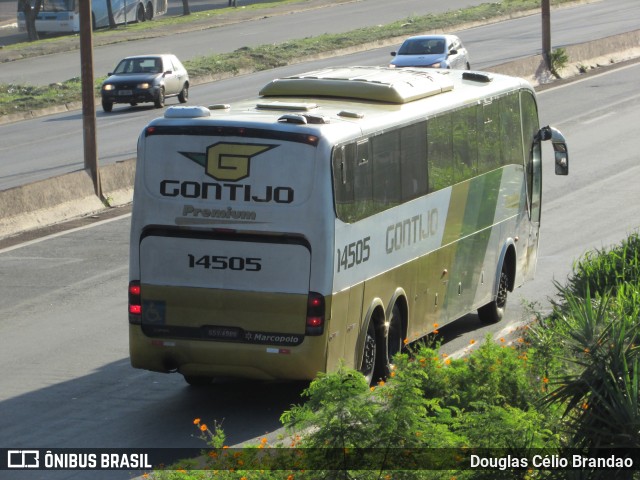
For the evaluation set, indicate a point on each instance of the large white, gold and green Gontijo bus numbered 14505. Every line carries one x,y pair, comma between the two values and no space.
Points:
335,218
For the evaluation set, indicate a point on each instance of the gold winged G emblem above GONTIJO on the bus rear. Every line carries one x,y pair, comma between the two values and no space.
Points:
228,161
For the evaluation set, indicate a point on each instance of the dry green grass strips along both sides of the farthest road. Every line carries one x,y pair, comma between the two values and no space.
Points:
20,98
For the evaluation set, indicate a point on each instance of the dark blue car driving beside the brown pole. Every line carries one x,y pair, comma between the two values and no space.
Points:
146,78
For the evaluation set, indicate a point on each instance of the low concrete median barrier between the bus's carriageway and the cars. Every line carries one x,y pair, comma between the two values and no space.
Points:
68,196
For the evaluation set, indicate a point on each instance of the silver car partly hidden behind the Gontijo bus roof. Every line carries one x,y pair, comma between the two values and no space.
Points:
432,51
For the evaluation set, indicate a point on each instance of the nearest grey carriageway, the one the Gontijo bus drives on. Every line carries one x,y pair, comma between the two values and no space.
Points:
63,324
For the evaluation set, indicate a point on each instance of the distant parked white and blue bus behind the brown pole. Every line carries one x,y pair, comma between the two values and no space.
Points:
62,16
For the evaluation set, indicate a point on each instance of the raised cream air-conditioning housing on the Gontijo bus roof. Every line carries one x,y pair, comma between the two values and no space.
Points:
380,84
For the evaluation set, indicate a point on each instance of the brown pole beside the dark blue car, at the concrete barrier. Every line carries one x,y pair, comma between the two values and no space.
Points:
88,96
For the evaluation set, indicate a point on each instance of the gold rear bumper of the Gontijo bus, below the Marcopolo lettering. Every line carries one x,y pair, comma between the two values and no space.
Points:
227,359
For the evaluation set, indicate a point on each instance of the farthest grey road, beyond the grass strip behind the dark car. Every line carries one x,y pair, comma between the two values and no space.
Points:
268,28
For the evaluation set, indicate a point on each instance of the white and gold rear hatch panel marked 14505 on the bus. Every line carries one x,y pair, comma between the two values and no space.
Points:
251,284
